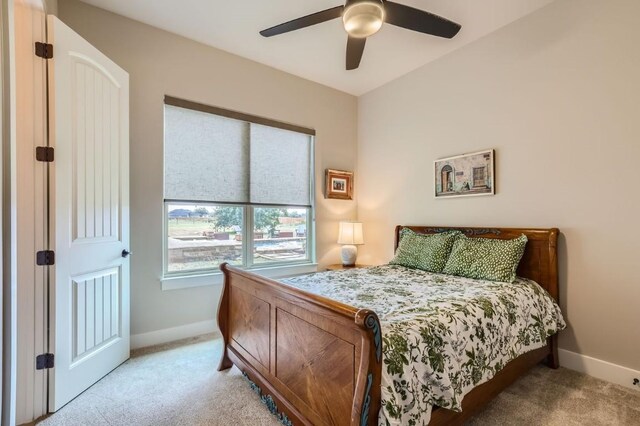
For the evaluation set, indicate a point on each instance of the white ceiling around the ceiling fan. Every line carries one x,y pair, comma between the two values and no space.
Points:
318,53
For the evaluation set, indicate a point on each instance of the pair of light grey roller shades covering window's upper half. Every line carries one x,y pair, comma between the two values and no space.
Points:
213,158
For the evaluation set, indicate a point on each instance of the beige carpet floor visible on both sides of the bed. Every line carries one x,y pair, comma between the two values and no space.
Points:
177,384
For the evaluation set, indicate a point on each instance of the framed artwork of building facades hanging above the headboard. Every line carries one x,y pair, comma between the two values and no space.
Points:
465,175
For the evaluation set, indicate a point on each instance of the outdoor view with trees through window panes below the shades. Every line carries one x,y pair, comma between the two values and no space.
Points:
204,236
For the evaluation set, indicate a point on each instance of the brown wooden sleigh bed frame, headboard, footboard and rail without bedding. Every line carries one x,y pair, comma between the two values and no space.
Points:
316,361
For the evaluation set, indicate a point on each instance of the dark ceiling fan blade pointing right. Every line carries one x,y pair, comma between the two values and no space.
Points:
419,20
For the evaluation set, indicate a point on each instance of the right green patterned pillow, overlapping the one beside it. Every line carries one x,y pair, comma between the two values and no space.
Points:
486,258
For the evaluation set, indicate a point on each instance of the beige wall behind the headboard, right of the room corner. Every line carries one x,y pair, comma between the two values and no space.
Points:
557,94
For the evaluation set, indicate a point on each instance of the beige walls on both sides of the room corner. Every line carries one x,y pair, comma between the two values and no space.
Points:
557,95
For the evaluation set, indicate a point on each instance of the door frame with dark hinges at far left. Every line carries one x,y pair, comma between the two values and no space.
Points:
25,196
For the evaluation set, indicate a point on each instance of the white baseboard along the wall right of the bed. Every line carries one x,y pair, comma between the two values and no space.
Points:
599,369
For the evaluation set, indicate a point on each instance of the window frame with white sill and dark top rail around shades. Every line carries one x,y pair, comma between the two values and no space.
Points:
182,279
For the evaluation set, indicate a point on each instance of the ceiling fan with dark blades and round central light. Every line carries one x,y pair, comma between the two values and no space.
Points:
363,18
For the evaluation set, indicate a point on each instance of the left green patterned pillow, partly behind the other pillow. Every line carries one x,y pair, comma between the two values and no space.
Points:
421,251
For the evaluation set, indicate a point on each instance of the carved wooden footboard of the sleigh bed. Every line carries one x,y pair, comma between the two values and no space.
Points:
315,361
